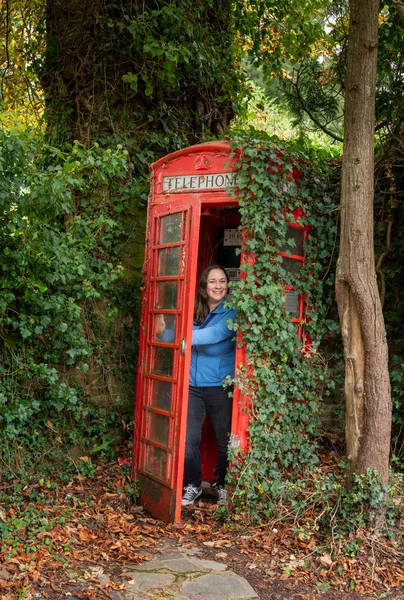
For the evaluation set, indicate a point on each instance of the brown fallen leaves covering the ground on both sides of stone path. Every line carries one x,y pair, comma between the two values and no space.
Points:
90,525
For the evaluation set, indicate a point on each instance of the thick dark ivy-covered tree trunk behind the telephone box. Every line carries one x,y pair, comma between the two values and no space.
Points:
151,76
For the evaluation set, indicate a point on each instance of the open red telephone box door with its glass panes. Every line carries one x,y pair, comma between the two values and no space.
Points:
164,356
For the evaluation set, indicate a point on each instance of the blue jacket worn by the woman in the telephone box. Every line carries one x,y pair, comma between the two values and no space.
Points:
213,349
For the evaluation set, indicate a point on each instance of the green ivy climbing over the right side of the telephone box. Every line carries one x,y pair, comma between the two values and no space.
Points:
286,378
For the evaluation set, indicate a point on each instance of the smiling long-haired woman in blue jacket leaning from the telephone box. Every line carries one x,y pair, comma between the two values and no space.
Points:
212,361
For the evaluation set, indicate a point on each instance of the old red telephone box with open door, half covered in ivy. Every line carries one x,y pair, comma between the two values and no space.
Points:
192,222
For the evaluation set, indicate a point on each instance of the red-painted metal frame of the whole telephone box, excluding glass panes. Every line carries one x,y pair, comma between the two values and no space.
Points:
173,190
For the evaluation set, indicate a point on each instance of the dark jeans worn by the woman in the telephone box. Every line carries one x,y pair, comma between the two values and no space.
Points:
215,402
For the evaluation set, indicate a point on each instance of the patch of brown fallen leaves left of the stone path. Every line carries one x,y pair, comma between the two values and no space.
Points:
87,521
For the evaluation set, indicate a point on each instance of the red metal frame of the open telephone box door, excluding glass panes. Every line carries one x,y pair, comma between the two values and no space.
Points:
161,488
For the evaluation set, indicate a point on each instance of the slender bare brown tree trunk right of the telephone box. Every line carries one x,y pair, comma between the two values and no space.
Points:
367,385
